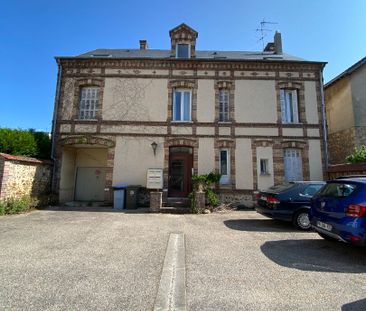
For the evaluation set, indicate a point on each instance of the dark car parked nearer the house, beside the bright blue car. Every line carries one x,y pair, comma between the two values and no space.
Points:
289,202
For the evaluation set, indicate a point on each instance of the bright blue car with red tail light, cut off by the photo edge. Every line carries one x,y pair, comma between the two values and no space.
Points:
338,210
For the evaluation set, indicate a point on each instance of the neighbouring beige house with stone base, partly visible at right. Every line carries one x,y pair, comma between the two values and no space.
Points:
345,98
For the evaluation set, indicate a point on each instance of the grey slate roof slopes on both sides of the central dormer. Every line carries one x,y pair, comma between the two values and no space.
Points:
204,55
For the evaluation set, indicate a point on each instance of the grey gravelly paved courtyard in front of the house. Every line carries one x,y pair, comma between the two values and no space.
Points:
105,260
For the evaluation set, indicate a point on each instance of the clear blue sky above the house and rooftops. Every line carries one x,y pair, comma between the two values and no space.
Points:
33,32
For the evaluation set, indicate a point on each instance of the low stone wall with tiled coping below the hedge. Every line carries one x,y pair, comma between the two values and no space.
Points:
23,176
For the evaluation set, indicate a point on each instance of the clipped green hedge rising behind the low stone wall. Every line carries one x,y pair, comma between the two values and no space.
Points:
25,143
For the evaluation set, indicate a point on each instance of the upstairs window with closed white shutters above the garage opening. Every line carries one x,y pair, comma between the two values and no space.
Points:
89,100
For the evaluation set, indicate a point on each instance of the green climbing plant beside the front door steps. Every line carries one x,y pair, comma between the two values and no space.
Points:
204,183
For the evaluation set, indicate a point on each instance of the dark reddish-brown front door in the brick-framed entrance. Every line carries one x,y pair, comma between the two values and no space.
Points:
180,171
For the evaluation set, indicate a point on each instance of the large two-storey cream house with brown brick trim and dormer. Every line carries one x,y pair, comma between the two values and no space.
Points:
255,117
